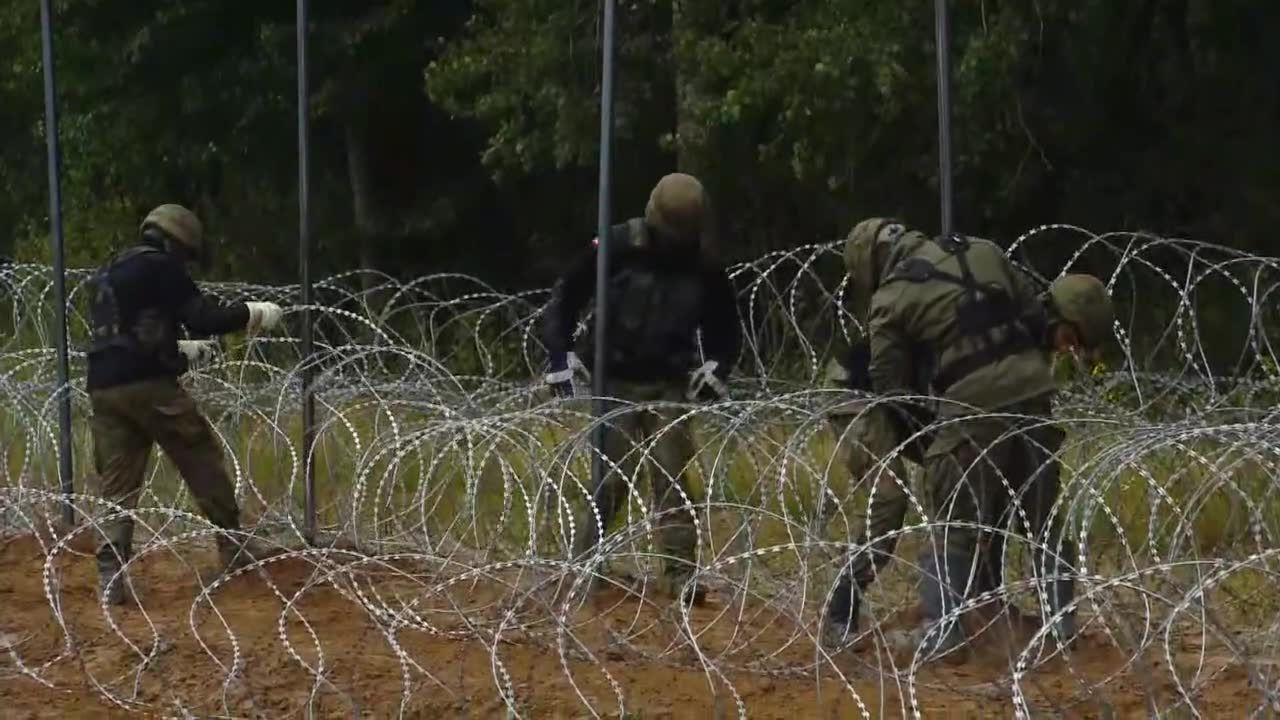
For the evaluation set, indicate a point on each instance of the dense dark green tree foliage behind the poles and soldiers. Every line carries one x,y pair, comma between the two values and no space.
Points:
463,135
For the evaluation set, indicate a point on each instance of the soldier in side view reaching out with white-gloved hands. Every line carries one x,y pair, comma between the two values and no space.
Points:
138,304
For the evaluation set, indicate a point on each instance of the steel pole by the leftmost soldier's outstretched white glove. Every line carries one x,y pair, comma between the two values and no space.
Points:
305,271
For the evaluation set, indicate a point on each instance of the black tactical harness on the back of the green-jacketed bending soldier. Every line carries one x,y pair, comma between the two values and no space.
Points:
985,309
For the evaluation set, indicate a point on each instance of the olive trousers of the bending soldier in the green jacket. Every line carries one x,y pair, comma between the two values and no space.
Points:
986,477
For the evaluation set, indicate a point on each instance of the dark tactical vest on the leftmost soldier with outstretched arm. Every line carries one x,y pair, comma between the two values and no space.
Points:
152,335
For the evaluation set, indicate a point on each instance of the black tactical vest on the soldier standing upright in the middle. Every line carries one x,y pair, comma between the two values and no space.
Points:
652,313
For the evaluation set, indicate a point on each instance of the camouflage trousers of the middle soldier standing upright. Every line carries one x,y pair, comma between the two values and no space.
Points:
661,440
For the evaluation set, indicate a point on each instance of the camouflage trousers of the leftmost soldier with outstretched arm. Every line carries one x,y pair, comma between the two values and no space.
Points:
127,422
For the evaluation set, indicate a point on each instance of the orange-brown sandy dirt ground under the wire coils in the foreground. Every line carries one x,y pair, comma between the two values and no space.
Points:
308,639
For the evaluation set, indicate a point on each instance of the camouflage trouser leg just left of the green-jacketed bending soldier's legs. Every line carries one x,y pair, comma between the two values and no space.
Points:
867,445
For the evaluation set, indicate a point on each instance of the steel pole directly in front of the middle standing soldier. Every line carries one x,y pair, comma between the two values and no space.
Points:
604,224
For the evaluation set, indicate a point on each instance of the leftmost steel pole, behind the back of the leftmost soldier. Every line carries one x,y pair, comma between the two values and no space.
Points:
56,221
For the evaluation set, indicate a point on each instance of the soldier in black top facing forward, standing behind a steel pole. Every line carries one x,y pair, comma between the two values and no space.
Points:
665,286
